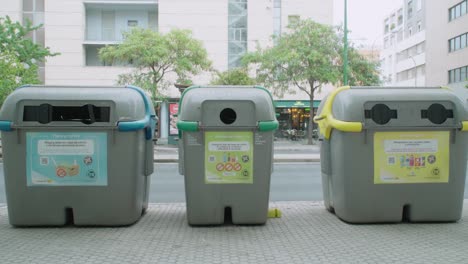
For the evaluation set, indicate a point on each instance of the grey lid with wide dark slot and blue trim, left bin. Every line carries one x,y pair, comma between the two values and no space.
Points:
127,107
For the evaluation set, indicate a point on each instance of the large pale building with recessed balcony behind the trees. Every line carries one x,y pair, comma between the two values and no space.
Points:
228,28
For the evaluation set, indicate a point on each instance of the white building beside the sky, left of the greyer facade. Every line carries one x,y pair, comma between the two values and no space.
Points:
403,56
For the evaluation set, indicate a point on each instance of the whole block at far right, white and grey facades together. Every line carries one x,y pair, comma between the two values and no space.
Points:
433,48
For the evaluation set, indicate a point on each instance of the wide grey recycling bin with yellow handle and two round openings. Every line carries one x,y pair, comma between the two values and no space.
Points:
393,154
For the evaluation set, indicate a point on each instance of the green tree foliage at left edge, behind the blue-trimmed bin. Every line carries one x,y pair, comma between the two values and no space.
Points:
19,56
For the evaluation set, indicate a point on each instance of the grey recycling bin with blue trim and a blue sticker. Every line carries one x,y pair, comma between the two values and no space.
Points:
80,155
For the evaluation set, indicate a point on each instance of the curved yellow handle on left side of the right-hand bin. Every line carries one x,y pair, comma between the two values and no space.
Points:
327,122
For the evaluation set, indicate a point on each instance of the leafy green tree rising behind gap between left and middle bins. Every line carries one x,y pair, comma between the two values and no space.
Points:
154,55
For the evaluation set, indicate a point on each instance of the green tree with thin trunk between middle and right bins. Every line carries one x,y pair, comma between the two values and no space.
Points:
306,57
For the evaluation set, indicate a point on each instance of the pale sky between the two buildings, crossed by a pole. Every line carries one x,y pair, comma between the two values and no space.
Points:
365,19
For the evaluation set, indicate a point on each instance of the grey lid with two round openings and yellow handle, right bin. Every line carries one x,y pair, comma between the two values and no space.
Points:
350,109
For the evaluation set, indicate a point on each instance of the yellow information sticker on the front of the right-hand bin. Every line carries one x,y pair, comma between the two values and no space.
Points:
411,157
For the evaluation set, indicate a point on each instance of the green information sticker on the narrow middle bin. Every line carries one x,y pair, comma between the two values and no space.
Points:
228,157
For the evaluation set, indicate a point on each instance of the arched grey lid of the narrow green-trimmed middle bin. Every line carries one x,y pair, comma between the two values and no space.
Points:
190,106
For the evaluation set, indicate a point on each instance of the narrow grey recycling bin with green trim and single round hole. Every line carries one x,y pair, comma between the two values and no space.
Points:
226,151
